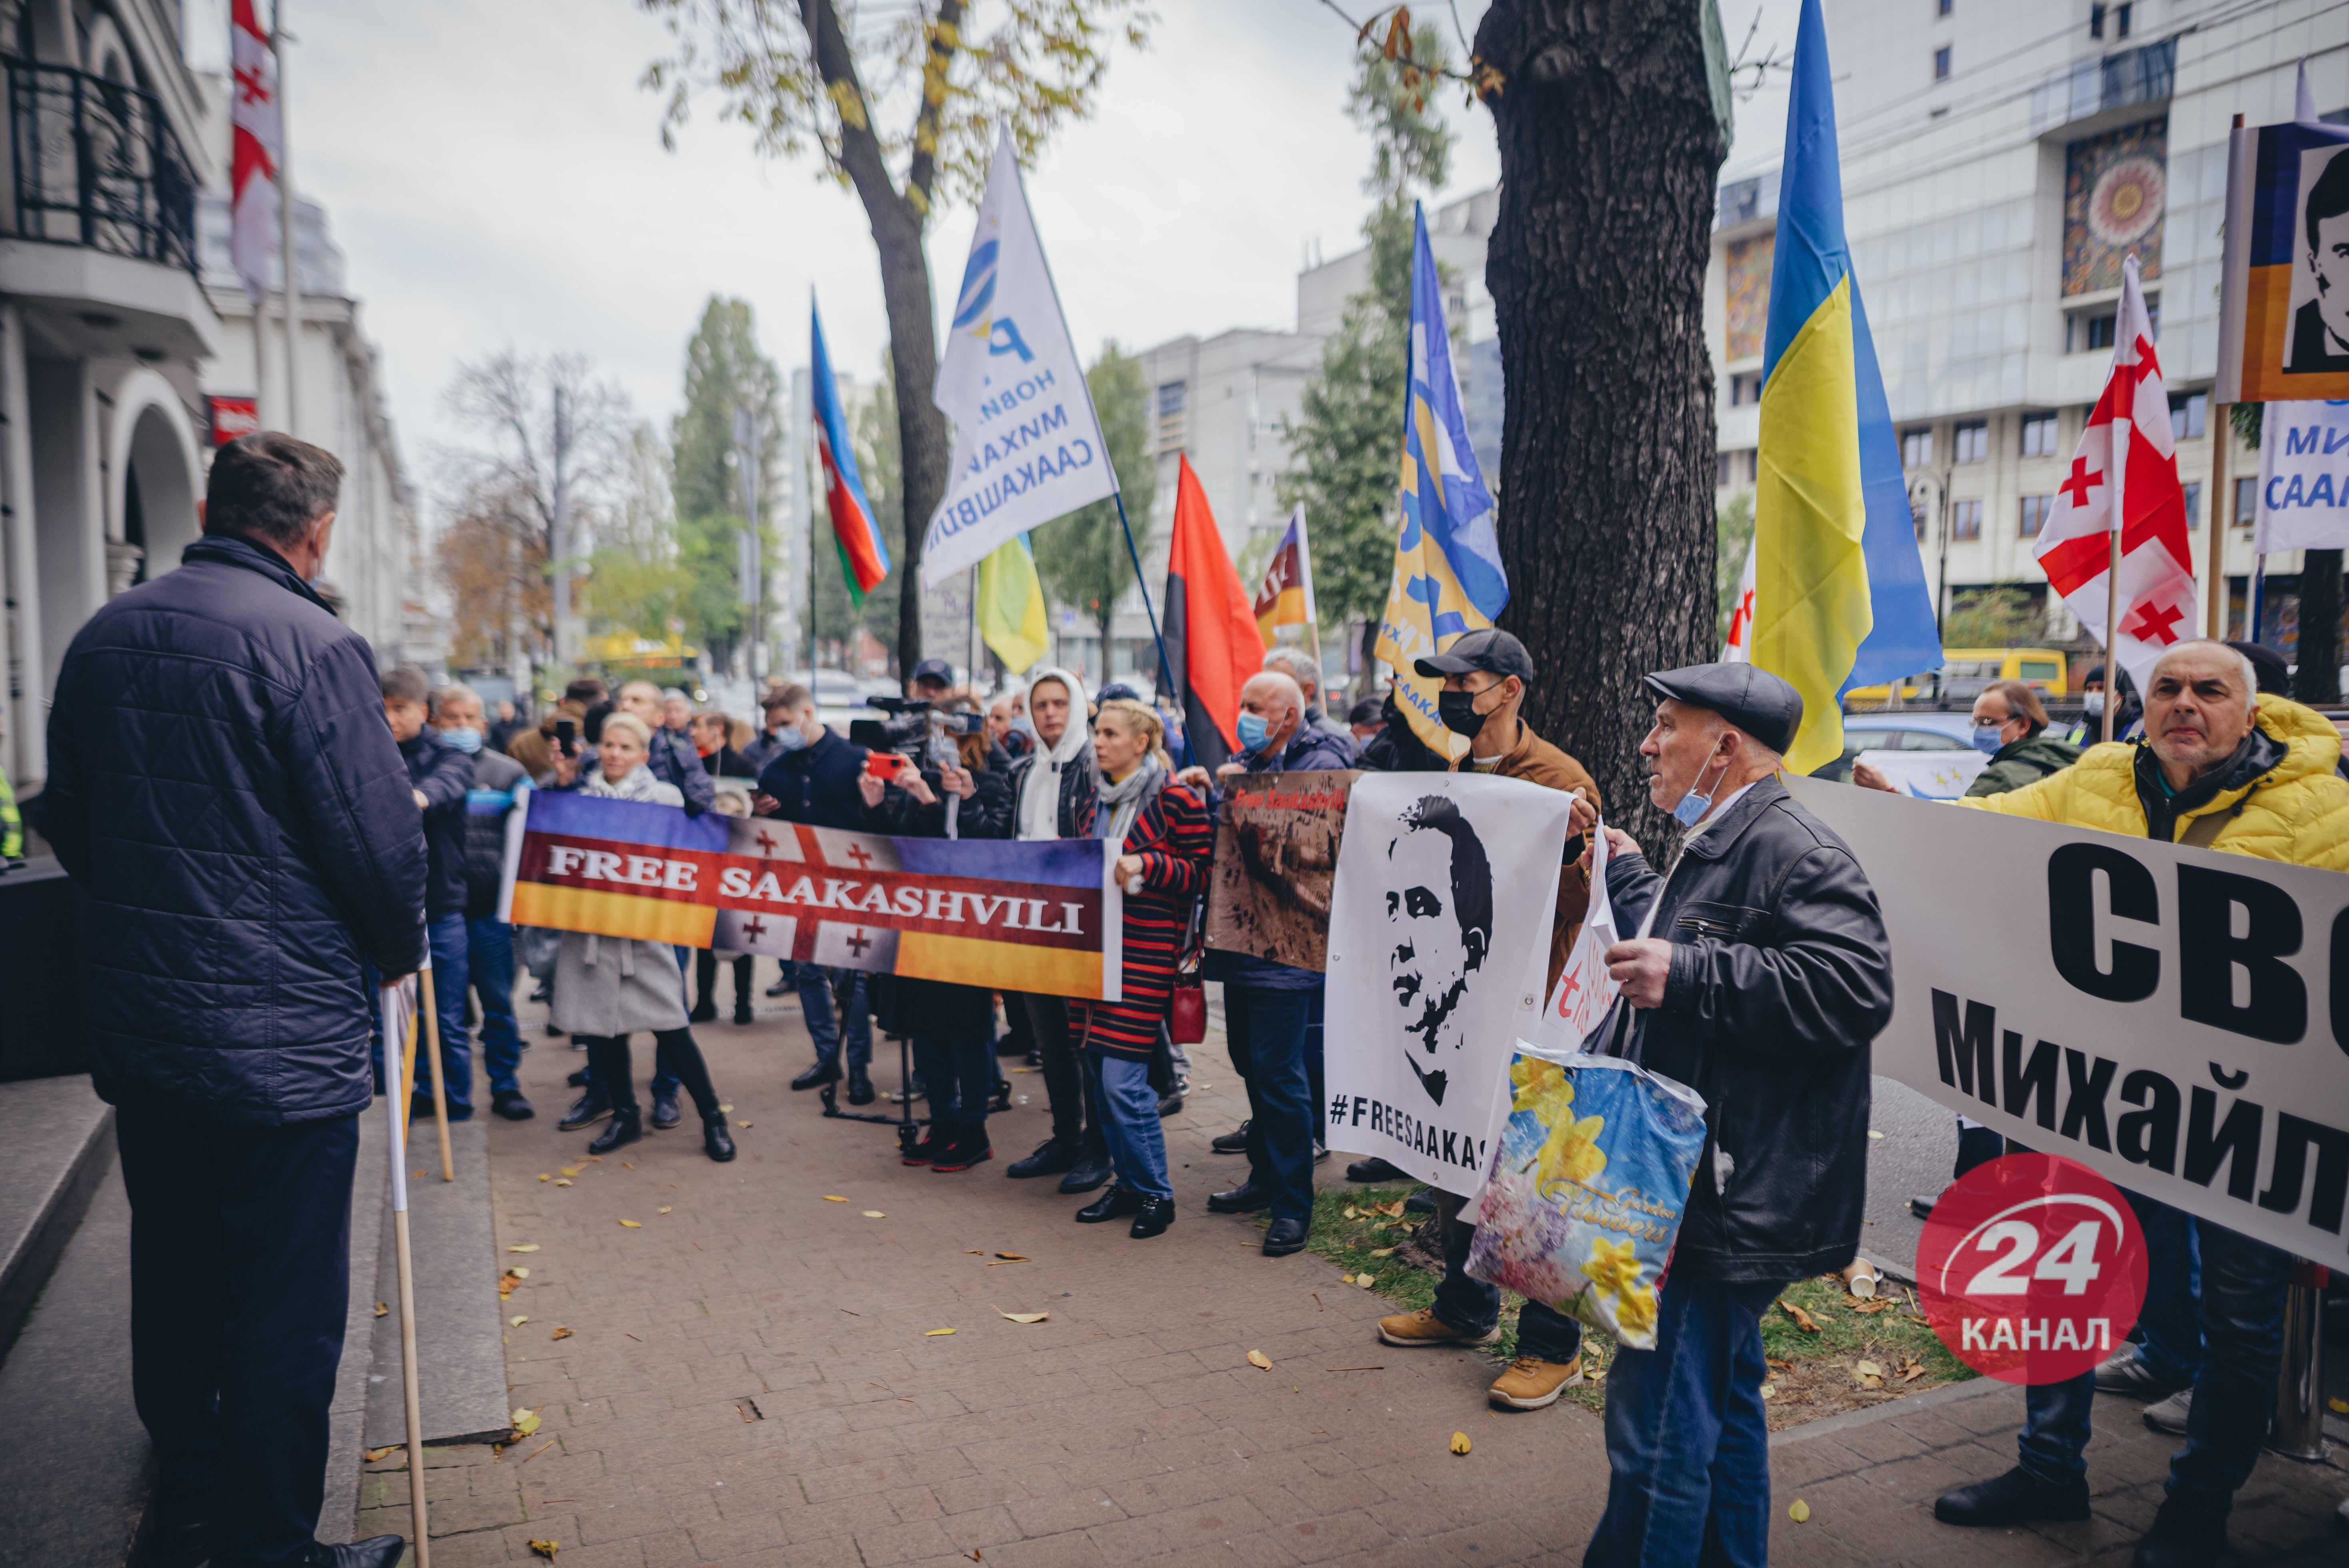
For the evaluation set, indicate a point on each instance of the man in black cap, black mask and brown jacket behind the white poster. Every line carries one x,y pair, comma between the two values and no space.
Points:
1486,677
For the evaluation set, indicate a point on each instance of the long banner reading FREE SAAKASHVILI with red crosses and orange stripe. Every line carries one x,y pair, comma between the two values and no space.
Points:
1014,917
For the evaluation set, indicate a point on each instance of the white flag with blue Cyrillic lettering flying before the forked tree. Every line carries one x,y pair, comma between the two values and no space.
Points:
1028,445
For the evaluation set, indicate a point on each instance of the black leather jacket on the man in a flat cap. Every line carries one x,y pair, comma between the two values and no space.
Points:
1782,978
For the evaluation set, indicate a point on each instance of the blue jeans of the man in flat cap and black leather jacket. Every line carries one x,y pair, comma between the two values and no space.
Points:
1688,1447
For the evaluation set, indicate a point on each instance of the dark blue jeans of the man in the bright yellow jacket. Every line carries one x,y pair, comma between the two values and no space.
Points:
2235,1395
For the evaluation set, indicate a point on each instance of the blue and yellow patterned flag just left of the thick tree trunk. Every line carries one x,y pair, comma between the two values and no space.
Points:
1448,560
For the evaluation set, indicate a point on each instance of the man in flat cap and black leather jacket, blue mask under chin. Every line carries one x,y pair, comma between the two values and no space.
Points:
1758,978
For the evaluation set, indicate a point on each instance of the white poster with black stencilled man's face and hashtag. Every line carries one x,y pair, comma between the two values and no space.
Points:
1439,949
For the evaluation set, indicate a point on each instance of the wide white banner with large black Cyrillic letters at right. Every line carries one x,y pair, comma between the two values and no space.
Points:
2174,1020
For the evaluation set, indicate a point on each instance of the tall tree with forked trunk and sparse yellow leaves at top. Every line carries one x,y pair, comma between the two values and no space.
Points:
809,83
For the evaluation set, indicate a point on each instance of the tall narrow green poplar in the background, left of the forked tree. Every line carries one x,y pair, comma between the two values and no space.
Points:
725,372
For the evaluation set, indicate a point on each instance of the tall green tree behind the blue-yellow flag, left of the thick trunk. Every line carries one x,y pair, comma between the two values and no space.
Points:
1347,442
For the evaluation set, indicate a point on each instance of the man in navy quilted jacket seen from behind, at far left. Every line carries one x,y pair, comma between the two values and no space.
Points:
227,795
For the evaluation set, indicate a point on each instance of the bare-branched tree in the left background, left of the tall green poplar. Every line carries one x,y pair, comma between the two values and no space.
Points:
548,438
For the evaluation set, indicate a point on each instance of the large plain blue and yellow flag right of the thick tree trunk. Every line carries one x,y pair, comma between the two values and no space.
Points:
1840,593
